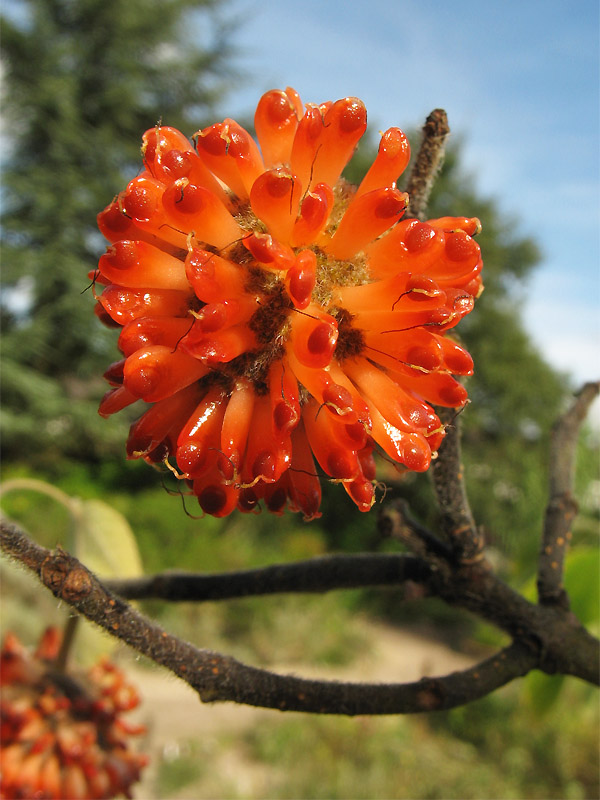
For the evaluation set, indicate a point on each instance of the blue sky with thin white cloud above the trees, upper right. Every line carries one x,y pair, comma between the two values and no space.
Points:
519,81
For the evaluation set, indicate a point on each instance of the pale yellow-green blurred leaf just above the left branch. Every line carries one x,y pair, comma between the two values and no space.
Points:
104,541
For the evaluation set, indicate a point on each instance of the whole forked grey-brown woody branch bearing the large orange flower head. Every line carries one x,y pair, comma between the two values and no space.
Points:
544,636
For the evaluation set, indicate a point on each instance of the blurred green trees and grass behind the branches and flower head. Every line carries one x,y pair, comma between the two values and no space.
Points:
84,80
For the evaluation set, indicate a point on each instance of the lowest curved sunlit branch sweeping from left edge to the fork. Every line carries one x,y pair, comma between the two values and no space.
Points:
217,677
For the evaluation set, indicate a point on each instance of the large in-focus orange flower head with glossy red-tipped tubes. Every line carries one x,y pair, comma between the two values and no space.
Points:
273,314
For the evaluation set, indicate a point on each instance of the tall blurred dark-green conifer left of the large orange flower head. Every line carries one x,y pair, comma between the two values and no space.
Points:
84,79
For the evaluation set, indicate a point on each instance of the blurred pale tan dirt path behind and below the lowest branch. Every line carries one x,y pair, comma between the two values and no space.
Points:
174,715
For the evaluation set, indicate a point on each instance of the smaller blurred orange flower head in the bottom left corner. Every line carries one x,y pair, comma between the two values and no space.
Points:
62,735
